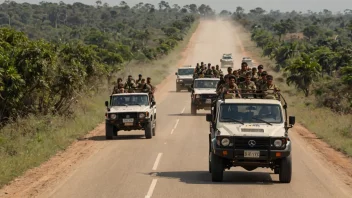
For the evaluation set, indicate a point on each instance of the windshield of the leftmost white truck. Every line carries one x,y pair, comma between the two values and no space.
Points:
129,100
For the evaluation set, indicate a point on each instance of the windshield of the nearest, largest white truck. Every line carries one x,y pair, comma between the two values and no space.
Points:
251,113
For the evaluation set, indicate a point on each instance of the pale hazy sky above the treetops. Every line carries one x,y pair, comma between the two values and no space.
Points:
230,5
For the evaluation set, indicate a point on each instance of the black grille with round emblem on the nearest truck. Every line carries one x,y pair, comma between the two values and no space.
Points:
260,143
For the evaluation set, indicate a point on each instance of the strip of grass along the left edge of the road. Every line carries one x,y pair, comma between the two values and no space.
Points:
30,141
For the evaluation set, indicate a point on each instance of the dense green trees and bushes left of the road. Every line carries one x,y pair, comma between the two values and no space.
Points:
50,53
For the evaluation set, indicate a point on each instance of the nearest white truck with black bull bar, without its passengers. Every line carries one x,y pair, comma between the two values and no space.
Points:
250,133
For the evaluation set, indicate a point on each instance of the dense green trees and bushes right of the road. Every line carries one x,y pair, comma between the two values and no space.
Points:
314,50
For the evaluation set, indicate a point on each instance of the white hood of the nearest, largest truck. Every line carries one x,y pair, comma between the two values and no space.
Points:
253,129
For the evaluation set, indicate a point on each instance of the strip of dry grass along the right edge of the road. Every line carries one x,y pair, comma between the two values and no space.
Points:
333,128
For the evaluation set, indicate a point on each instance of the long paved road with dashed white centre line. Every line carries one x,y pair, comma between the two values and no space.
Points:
175,162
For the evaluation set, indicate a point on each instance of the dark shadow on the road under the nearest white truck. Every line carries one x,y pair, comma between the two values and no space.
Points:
230,177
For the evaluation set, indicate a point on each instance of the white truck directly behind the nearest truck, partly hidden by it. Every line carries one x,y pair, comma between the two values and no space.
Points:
203,91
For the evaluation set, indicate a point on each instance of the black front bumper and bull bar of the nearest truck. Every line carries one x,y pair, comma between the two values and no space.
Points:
267,152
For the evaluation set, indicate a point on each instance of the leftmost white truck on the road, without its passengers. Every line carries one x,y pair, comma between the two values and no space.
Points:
130,111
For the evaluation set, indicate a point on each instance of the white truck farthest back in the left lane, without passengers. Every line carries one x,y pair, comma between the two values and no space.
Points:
184,77
